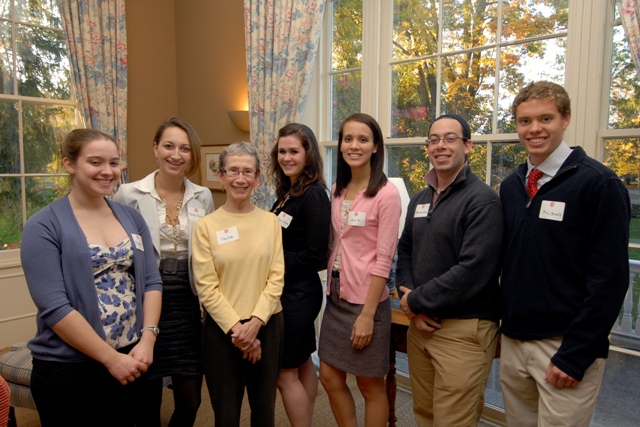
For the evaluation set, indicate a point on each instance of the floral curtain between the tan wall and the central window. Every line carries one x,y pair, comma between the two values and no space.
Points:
282,39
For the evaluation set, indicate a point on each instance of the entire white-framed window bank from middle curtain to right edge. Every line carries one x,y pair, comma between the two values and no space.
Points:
407,61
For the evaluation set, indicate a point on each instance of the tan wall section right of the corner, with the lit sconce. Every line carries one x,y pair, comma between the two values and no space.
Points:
211,70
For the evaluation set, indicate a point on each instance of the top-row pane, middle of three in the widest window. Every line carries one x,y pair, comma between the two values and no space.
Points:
468,24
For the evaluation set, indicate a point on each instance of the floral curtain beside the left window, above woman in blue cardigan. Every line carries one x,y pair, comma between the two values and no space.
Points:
97,39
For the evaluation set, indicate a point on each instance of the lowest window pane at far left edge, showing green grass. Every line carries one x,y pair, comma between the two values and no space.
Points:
11,213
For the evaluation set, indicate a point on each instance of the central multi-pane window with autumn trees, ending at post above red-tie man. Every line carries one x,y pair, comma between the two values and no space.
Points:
426,58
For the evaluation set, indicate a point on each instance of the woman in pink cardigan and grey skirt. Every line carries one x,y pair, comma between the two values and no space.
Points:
354,338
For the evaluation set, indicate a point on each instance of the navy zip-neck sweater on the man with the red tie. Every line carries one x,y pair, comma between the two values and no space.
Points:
566,278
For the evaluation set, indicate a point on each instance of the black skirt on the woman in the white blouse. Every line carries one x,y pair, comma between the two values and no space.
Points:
177,351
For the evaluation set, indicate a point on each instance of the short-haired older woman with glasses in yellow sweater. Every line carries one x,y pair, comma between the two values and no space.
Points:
238,265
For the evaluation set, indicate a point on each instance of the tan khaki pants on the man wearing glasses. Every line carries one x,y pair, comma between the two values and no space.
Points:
449,369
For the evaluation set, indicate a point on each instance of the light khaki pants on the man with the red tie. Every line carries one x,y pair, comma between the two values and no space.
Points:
530,401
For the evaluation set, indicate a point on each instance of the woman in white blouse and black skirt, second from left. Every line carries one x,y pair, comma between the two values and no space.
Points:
171,205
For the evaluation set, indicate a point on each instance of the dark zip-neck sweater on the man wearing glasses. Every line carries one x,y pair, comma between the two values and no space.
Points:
451,257
